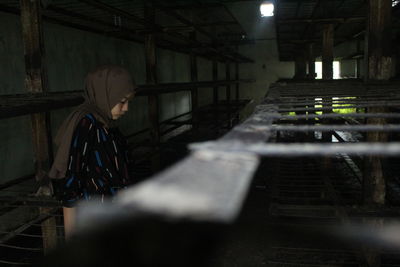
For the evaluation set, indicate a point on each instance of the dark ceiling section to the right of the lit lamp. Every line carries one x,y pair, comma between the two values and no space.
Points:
301,22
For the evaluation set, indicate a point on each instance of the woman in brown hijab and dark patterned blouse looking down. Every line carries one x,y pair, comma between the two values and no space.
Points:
92,159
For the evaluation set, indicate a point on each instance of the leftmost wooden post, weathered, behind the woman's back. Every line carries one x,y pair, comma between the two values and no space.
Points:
36,82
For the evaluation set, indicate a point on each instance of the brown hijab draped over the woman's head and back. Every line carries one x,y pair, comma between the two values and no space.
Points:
105,87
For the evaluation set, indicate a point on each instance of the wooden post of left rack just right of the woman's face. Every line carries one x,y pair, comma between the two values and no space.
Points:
151,78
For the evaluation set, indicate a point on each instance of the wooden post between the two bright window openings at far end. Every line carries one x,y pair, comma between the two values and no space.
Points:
327,52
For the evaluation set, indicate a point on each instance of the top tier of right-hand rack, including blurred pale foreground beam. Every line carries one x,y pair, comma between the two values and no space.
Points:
238,152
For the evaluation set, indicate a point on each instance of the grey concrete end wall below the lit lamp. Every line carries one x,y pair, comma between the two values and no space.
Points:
267,67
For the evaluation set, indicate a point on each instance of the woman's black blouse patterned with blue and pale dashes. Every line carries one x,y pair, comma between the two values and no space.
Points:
97,163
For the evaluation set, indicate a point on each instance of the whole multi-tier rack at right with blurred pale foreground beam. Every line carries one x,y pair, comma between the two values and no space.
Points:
212,182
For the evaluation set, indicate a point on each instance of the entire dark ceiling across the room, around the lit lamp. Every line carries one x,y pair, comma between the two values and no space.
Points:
219,25
